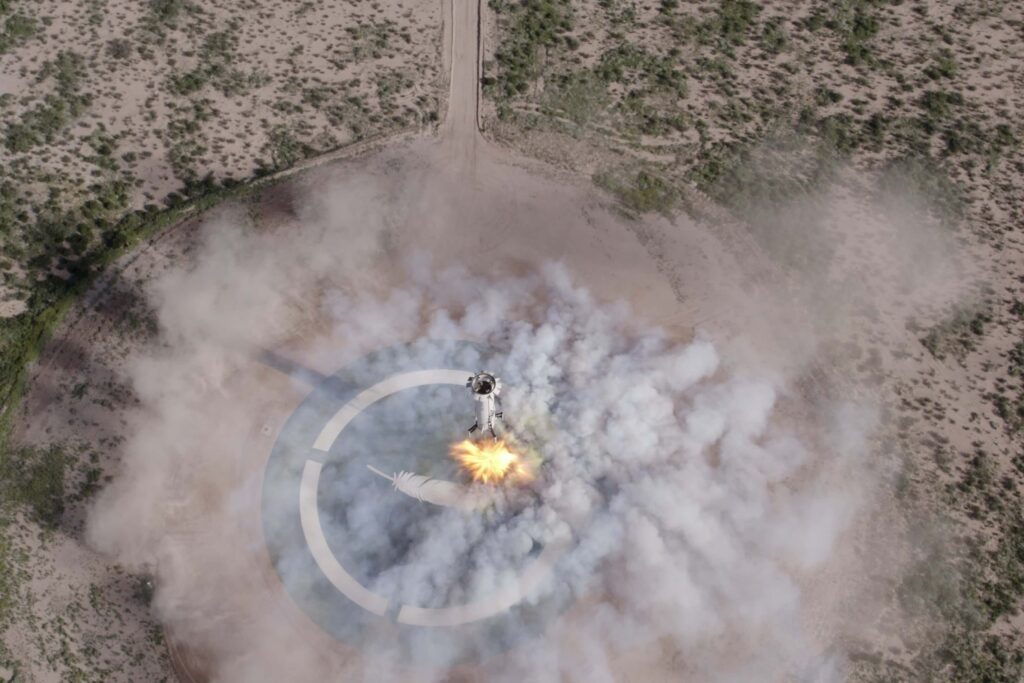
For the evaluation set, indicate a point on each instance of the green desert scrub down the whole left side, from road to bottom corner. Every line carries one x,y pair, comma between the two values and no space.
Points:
117,120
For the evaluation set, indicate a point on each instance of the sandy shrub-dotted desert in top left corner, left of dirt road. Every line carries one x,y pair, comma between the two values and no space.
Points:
114,107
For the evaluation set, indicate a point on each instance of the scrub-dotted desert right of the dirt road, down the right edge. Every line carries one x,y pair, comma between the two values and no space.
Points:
778,107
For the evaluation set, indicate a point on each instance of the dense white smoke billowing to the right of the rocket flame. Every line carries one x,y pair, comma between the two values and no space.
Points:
700,507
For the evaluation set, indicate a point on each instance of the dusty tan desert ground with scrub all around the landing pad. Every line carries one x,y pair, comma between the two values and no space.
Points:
829,192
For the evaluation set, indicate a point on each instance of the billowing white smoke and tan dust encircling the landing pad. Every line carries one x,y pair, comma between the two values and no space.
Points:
698,497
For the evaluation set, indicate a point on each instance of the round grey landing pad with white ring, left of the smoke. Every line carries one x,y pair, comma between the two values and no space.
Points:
350,549
